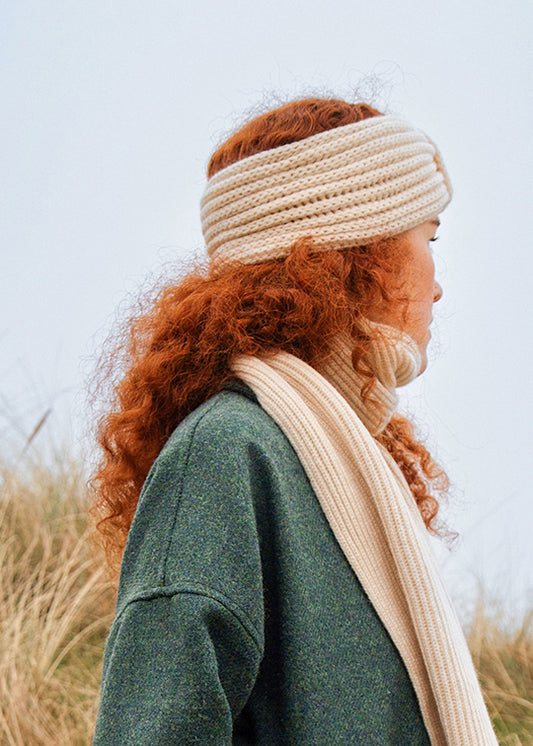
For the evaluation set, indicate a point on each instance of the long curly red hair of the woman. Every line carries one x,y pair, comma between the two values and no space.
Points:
178,352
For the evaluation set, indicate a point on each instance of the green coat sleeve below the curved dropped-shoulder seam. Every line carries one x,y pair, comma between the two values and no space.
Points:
179,668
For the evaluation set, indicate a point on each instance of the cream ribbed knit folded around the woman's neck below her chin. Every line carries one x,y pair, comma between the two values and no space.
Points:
393,358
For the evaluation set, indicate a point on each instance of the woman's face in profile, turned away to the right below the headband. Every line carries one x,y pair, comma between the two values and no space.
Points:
416,281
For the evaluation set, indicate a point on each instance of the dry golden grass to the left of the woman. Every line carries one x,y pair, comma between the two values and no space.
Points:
55,609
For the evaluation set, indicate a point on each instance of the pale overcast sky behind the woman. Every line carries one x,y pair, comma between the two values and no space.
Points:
109,112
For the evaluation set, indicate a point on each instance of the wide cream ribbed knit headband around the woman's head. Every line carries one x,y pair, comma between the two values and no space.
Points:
374,178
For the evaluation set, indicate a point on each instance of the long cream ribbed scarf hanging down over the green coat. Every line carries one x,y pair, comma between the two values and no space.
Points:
376,522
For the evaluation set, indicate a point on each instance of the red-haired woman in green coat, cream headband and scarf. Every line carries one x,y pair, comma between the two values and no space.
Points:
277,585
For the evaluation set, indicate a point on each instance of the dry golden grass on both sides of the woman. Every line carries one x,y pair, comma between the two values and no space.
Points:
56,607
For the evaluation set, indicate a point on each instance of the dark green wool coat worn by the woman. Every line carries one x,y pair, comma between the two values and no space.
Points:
239,620
